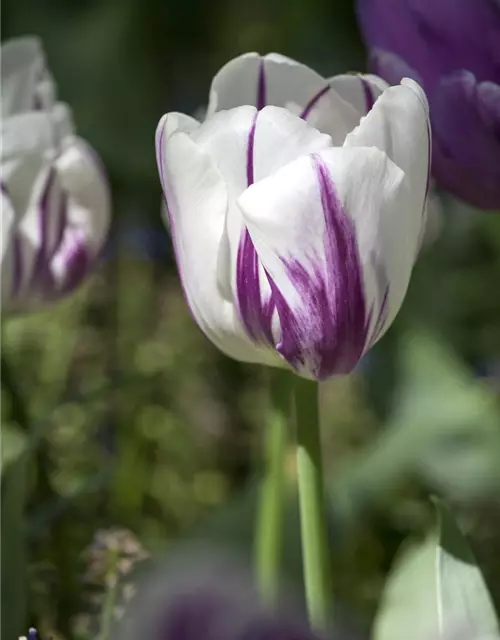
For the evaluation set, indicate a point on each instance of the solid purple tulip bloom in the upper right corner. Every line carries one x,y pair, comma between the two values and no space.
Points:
451,49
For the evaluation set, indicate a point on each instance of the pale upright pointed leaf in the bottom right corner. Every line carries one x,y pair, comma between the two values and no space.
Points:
436,590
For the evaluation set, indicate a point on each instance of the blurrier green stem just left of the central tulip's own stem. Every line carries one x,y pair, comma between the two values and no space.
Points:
270,517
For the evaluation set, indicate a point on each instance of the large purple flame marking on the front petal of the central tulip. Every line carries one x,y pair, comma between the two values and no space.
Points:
326,334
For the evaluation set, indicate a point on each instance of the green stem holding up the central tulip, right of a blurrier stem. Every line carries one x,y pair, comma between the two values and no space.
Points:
313,523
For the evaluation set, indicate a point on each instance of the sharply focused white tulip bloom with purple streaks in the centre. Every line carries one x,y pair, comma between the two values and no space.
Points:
297,209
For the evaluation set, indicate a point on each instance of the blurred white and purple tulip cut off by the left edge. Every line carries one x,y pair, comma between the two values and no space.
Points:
54,197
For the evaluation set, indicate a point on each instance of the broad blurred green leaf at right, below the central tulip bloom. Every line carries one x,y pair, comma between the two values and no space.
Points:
445,428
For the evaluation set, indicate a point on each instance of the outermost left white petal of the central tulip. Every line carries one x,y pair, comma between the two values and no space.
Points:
197,204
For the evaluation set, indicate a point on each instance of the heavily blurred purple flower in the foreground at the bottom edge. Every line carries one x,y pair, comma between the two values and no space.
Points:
208,597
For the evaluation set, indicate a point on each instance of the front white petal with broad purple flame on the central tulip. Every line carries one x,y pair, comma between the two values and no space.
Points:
305,222
